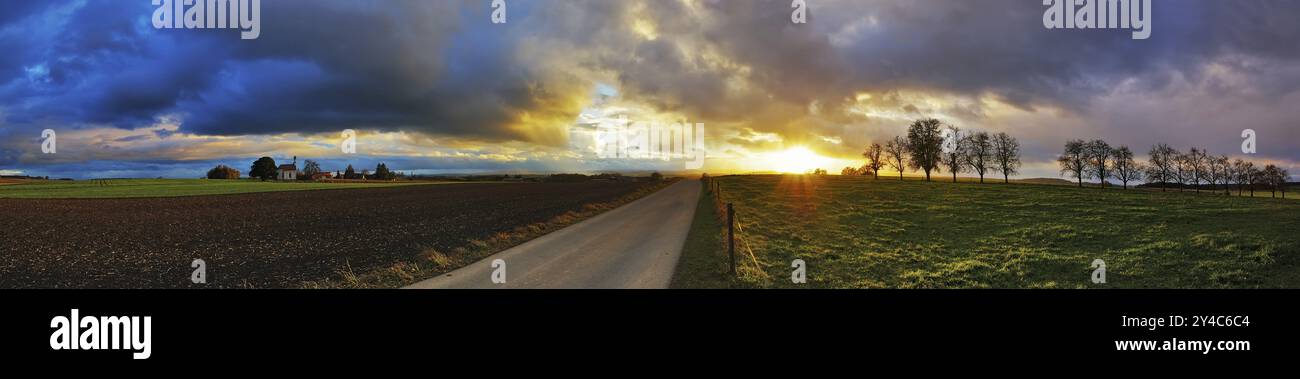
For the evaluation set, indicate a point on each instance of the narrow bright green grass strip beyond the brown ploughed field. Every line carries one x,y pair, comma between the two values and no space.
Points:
124,189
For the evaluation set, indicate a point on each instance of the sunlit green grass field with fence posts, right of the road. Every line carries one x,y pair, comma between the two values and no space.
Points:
857,233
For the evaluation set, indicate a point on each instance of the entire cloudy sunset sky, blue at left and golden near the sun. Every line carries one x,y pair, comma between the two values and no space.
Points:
439,88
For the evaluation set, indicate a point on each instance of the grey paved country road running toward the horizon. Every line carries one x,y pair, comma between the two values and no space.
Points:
635,246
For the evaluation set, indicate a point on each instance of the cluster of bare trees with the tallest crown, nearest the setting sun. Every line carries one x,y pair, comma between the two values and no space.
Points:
933,146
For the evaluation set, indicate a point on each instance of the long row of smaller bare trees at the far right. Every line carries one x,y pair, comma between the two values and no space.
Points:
1168,168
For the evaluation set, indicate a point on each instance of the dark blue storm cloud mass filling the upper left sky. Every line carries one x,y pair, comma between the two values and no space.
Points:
318,67
